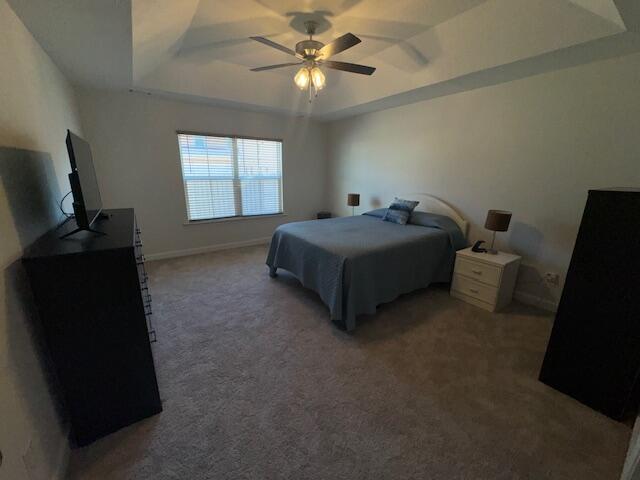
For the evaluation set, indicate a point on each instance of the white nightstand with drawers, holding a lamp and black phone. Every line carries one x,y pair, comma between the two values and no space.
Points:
483,279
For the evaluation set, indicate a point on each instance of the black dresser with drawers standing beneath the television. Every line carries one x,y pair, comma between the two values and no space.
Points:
94,308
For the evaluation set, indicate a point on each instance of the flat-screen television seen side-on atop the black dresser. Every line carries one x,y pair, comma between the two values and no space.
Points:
87,203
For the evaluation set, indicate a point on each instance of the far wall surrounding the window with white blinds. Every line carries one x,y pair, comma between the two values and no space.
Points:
134,143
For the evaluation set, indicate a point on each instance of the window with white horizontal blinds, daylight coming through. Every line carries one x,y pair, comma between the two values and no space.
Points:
230,176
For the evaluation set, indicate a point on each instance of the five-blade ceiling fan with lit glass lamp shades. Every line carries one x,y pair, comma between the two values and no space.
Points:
313,55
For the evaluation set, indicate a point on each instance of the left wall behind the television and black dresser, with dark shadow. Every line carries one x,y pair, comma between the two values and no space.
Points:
37,105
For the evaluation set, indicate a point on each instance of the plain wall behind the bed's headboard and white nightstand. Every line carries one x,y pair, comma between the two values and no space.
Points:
533,146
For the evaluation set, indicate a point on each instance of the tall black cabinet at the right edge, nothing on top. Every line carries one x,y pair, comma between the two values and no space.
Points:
594,350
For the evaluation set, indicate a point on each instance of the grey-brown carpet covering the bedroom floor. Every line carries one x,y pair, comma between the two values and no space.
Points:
258,384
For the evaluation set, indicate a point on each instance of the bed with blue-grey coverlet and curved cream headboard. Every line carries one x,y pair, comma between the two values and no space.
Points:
357,263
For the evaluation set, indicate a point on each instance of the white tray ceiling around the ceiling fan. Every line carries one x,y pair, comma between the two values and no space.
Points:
200,50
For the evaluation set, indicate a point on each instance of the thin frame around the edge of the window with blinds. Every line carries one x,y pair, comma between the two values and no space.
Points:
230,217
